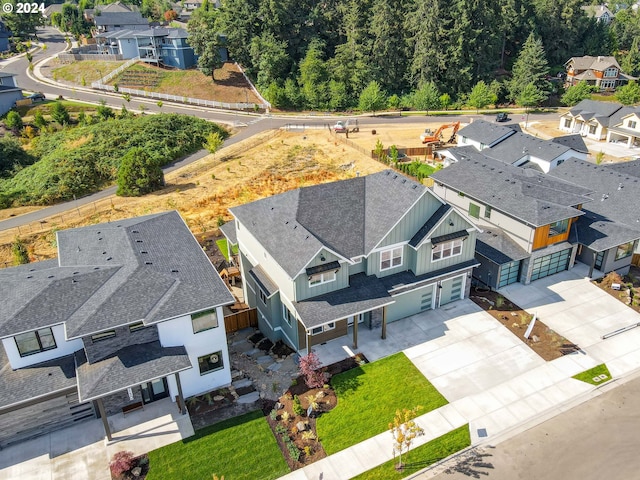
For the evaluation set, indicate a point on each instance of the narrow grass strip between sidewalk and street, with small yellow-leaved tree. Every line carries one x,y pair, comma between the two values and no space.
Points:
421,457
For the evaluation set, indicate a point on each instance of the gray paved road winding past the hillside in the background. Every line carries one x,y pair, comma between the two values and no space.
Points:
252,124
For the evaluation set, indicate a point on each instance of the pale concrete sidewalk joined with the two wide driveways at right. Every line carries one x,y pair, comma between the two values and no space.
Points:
493,381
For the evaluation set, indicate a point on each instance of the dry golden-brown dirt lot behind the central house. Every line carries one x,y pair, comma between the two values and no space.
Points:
203,191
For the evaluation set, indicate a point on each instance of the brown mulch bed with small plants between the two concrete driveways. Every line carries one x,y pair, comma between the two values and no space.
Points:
544,341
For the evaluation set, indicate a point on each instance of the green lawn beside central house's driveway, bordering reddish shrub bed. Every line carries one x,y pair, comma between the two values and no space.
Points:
368,398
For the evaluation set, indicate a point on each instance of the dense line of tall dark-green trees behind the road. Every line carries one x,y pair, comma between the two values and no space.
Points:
323,55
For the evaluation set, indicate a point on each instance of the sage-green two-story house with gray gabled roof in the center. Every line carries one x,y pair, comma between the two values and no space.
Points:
319,260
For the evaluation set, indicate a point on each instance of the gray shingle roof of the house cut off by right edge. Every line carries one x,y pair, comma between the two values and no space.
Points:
613,218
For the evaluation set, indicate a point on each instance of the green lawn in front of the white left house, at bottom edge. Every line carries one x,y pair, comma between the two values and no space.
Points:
239,448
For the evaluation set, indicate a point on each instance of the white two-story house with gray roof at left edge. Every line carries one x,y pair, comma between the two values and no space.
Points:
130,312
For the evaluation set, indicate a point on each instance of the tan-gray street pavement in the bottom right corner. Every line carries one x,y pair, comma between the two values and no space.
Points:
596,440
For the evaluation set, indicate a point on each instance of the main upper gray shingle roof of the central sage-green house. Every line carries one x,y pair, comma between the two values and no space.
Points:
349,217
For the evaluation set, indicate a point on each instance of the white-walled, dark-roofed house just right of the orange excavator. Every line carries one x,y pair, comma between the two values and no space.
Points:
512,147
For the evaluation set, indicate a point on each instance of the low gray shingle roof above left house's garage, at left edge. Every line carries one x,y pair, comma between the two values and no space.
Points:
24,384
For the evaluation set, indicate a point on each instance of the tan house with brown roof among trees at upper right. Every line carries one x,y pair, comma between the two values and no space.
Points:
603,71
